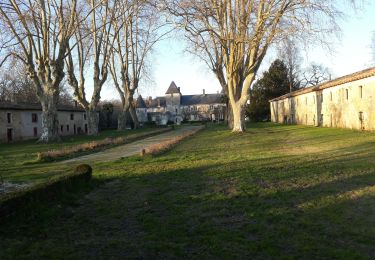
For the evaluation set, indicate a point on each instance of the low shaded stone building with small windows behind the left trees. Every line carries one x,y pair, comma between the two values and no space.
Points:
20,121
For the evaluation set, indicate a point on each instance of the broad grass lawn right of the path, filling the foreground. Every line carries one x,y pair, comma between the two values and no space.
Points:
273,192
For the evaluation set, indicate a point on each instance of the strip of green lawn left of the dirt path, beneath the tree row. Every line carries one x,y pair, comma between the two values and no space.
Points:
15,157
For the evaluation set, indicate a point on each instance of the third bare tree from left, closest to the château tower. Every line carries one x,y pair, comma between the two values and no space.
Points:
139,28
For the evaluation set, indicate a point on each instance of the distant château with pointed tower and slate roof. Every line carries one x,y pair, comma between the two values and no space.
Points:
176,108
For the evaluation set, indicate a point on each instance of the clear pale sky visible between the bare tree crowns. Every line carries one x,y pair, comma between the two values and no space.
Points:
351,53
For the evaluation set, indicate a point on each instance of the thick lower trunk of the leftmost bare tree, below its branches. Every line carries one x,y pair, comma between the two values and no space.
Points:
50,122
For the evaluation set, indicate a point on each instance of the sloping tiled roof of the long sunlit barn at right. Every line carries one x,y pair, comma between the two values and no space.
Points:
332,83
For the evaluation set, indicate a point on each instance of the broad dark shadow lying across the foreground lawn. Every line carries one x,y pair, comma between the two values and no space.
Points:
207,211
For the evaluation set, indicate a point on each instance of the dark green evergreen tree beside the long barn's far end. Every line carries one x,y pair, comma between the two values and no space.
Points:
273,83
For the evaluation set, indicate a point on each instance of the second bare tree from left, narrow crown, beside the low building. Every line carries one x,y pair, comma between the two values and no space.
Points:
92,43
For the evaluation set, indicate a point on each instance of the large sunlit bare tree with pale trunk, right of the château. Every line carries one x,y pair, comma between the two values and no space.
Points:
246,29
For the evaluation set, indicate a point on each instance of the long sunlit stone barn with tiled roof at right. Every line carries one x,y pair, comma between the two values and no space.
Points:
345,102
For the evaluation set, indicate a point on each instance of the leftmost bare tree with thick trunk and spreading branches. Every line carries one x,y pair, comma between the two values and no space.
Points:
37,33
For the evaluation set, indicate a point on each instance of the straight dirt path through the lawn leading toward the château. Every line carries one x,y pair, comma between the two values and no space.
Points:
129,149
